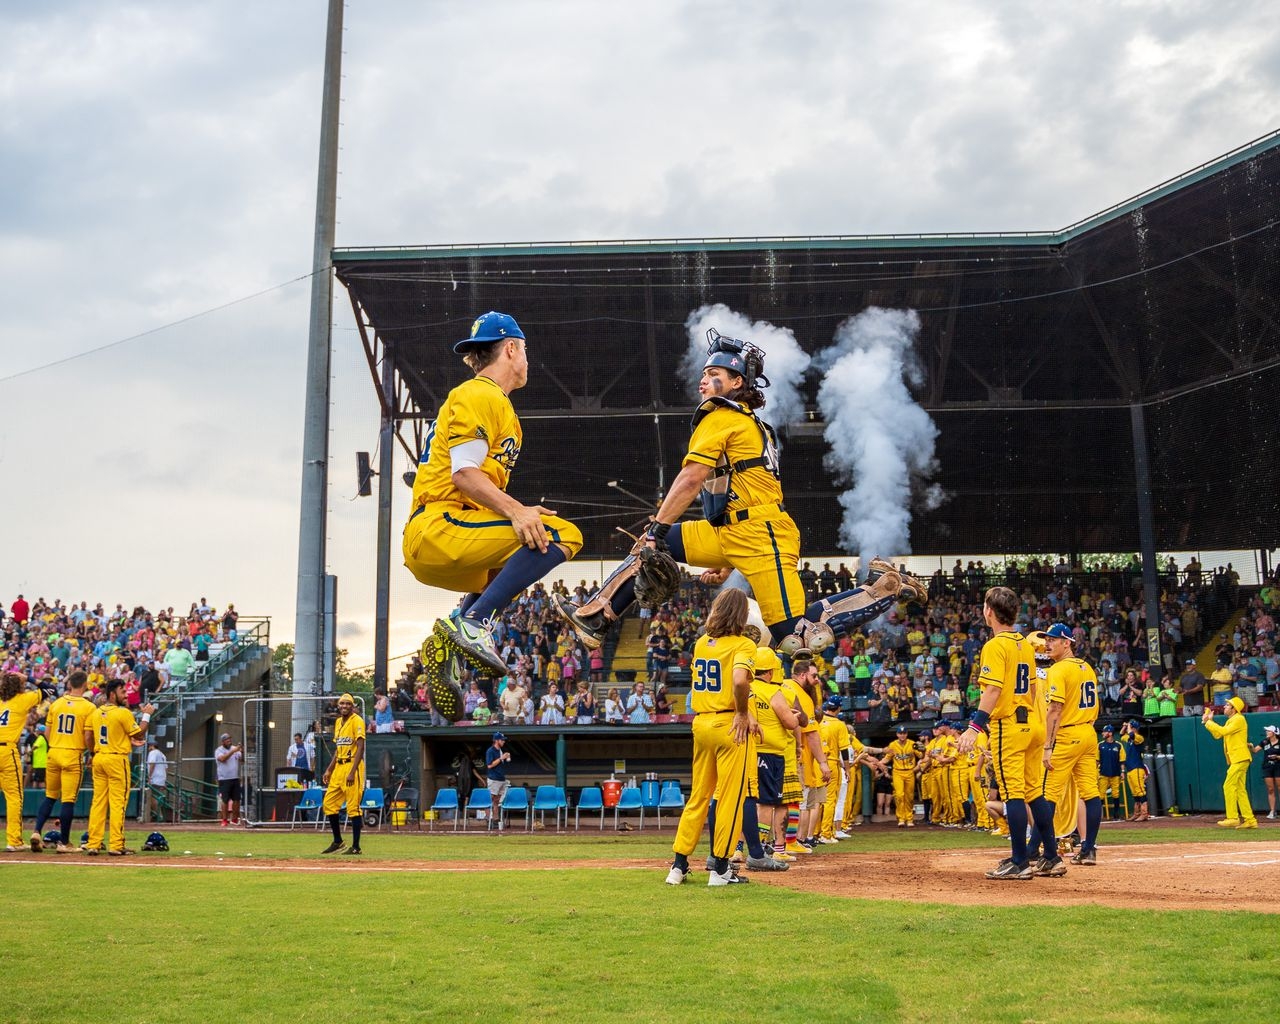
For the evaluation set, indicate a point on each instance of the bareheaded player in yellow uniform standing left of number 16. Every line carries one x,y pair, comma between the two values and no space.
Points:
1009,711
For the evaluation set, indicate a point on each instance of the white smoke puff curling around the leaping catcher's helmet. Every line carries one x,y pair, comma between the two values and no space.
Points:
785,363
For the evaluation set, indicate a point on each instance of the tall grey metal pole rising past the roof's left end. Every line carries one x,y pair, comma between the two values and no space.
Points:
308,665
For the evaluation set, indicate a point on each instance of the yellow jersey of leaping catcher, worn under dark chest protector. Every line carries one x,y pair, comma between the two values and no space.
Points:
726,433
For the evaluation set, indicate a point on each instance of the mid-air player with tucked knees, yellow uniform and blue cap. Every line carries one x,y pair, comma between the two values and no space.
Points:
465,533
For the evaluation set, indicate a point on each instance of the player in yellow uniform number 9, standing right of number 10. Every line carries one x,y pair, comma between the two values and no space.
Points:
112,730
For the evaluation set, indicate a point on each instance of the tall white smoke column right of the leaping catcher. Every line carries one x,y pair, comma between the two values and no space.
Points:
883,444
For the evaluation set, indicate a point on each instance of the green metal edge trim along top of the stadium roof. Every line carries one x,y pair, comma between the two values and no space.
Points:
616,248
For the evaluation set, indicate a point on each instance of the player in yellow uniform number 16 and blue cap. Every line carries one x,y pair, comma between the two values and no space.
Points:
1071,742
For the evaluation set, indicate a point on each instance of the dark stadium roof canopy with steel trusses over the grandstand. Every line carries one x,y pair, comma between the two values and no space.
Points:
1036,348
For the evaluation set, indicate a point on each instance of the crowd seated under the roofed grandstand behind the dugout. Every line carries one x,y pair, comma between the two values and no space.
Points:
917,664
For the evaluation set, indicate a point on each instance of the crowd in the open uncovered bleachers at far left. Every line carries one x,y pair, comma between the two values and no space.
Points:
150,652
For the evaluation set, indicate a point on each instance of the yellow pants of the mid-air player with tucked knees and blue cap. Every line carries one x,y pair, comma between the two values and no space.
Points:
459,548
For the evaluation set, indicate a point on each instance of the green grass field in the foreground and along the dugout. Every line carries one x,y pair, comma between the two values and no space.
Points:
121,943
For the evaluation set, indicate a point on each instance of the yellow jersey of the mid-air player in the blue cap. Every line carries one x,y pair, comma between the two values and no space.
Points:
477,410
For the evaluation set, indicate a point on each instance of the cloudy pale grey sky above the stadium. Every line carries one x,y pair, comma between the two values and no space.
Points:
158,161
